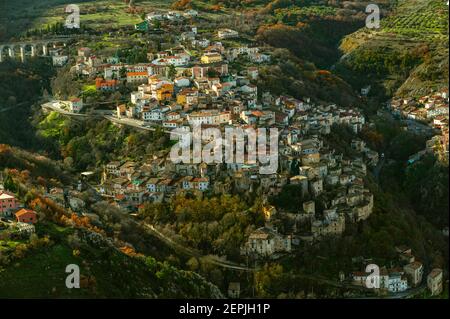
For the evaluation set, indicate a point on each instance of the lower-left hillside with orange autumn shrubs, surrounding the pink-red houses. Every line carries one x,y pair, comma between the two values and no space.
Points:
109,266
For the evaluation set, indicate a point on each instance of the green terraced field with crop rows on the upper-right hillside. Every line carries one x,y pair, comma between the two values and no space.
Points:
415,25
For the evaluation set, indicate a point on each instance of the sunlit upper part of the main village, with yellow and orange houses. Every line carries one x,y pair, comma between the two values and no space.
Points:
200,83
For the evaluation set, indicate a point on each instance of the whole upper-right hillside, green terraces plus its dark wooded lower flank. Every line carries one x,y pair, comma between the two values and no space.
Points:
408,55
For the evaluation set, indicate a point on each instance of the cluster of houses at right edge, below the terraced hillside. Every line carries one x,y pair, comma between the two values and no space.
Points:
430,109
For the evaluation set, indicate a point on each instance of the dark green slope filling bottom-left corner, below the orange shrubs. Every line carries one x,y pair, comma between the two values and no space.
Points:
105,271
